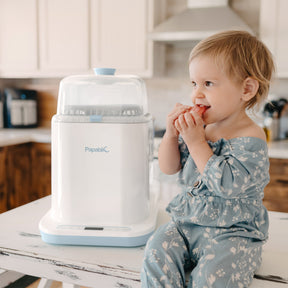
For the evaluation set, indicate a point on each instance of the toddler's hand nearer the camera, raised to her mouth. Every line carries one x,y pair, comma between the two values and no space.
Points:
191,126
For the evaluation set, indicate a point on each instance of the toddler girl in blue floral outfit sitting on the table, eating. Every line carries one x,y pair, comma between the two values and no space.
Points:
219,223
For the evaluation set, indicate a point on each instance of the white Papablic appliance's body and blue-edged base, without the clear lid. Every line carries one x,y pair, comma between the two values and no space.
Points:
100,184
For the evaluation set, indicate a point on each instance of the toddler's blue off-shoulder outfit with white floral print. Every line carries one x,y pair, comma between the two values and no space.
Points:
219,223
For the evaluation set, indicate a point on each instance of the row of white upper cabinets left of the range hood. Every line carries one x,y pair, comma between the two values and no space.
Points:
61,37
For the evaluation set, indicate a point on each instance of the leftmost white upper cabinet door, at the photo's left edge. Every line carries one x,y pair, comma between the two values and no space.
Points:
18,37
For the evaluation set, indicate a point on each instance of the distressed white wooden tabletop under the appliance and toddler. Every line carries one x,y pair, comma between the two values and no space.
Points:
22,250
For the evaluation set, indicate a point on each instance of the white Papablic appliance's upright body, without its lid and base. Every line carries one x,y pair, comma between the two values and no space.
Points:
100,173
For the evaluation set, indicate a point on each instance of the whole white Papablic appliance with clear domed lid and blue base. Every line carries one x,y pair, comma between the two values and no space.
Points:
102,150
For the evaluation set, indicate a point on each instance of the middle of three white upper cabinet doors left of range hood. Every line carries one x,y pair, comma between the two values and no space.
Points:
64,36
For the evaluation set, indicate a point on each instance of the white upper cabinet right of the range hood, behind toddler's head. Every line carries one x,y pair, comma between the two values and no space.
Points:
273,32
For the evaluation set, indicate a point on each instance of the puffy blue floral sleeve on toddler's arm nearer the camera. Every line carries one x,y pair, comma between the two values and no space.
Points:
241,169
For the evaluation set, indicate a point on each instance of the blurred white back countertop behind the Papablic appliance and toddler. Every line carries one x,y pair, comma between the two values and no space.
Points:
277,149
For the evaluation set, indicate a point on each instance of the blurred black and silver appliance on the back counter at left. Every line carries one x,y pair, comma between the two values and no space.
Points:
20,108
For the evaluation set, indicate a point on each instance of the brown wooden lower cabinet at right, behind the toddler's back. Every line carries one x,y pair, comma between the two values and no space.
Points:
276,192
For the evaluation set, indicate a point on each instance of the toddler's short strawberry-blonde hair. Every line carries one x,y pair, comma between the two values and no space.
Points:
241,55
